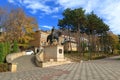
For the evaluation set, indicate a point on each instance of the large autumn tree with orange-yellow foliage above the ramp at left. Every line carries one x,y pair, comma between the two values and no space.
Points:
19,26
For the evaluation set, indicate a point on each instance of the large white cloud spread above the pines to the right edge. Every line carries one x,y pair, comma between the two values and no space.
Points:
106,9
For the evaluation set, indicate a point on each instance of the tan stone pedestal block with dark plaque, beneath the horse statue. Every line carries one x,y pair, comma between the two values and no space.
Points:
54,53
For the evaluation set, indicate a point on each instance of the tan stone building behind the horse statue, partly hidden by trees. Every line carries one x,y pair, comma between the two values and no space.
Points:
40,39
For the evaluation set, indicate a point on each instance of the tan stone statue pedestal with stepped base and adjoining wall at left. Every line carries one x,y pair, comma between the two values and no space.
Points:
50,56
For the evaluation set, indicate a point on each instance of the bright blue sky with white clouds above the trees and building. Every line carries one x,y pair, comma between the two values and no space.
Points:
47,12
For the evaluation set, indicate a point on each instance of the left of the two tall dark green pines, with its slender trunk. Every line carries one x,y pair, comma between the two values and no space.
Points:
73,20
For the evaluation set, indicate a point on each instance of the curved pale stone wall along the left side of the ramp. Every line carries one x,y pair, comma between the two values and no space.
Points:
11,57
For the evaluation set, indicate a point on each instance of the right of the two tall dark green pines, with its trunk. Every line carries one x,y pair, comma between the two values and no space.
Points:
95,28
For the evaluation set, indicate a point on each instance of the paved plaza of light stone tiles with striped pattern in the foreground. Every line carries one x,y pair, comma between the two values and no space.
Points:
104,69
